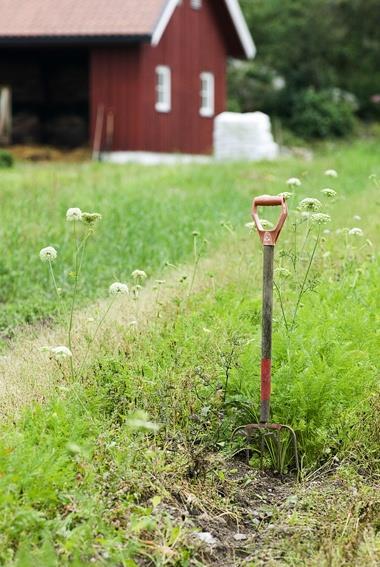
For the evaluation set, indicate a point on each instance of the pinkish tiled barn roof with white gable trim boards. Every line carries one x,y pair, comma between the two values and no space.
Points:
59,19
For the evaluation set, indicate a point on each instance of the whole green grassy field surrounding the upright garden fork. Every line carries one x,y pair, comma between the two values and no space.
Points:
123,464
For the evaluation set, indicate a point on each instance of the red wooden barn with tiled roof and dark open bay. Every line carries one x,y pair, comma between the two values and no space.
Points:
125,75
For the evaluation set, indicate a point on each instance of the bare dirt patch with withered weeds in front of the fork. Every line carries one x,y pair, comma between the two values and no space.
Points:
229,515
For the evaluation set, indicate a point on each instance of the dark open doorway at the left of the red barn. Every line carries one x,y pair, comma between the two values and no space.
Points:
50,94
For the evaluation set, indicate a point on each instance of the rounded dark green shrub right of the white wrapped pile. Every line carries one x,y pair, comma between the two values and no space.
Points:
322,114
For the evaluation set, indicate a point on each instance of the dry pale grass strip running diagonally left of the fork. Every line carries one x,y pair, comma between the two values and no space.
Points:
28,373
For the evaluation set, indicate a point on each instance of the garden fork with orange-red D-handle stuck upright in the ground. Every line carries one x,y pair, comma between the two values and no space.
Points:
268,239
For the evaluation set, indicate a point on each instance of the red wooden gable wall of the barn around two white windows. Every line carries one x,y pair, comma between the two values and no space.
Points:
123,80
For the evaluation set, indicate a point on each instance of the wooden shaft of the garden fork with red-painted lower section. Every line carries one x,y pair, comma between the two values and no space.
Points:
266,338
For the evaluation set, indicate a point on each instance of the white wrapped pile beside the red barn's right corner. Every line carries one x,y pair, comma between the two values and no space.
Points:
244,136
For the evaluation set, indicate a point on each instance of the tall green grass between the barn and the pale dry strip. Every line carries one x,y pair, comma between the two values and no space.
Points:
148,217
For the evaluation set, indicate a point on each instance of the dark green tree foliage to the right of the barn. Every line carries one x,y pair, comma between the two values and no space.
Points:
320,48
